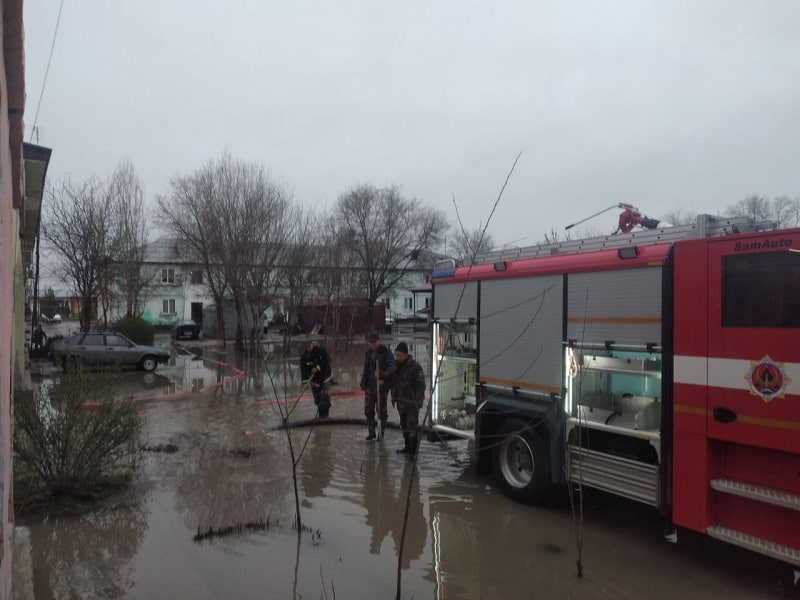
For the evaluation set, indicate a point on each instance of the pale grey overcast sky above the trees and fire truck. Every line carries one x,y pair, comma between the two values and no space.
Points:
673,105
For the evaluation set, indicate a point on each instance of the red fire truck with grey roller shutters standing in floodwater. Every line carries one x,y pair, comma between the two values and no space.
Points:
659,365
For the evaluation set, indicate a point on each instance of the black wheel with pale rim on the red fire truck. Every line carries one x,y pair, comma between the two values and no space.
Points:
522,461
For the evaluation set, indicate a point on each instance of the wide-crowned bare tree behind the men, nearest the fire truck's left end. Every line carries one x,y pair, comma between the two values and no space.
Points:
386,232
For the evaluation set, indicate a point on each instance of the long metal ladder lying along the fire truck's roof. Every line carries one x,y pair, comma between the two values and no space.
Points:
704,226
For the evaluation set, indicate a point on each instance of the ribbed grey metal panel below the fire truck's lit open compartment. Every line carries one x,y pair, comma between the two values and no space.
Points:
621,476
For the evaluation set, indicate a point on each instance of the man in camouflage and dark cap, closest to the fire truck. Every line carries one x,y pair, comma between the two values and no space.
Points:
407,381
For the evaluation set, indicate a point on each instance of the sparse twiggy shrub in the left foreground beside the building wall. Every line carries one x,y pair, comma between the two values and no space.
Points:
74,437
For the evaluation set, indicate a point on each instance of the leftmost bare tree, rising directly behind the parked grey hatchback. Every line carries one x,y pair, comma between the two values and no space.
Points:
78,227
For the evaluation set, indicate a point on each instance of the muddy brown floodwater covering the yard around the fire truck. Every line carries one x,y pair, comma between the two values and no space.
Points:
215,460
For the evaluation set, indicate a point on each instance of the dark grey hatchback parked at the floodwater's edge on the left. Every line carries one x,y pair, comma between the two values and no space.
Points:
107,348
